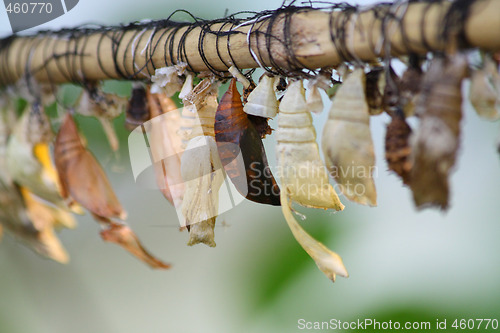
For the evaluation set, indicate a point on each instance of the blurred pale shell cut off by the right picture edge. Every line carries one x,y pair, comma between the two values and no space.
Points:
484,93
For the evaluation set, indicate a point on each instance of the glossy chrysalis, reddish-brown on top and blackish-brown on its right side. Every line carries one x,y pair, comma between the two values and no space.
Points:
241,151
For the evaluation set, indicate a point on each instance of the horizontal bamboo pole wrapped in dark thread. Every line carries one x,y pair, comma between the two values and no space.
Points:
97,56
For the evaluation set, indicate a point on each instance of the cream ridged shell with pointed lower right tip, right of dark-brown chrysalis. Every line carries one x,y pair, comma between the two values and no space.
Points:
303,174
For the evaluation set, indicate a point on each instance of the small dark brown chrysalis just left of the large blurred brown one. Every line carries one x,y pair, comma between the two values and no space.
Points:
397,148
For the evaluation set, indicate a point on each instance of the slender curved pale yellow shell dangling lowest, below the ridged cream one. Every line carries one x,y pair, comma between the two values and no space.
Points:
329,262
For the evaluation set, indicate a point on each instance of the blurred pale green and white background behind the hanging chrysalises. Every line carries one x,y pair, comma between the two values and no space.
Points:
404,265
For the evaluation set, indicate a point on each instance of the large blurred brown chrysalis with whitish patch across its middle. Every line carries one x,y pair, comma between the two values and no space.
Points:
434,145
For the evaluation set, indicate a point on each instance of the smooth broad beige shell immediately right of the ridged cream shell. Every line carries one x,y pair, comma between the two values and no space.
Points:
347,143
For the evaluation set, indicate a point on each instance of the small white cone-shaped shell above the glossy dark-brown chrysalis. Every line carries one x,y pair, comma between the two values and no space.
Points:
262,100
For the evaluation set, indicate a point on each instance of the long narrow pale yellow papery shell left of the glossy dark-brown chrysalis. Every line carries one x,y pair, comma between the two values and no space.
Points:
201,167
